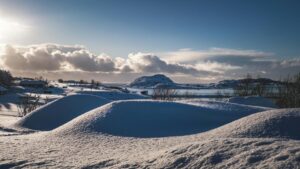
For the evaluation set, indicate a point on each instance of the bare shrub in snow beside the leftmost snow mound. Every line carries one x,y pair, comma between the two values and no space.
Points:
27,104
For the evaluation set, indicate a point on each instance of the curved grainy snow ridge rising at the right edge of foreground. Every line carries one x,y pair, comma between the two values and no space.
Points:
277,123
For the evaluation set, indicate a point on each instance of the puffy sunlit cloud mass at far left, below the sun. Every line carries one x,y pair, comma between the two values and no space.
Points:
52,57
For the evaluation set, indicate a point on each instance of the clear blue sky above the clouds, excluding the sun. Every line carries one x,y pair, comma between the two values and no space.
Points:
118,28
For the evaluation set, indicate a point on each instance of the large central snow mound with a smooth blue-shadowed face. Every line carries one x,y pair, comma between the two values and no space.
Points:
145,118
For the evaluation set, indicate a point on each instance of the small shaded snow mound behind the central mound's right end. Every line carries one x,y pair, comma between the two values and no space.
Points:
254,101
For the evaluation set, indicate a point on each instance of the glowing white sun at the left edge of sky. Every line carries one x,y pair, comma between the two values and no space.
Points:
10,28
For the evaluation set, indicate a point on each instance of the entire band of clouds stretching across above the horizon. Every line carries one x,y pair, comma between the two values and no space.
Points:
207,65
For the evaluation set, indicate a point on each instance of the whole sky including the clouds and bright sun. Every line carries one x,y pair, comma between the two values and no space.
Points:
116,41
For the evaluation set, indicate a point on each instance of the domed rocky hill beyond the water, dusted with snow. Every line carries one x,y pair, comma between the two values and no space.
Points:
151,81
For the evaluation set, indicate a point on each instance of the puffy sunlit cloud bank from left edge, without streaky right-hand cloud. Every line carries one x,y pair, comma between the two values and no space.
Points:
54,57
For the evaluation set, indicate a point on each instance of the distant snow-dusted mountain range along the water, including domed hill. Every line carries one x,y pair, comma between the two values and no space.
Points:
160,80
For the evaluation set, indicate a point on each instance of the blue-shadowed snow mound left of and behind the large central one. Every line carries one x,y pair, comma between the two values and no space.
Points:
58,112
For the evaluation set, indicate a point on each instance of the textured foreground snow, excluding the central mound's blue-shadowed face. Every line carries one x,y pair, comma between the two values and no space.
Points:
84,143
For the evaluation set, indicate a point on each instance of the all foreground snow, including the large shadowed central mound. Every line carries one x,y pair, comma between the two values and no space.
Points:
154,134
